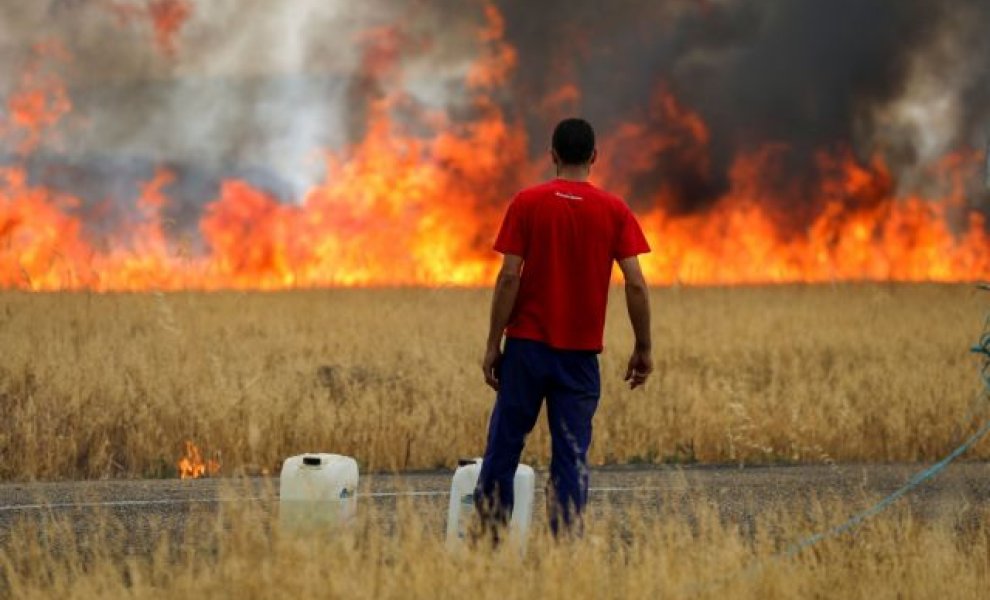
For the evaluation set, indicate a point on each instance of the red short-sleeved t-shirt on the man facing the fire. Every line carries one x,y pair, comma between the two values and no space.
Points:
568,234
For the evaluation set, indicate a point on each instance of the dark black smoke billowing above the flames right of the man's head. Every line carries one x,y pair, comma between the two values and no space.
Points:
905,78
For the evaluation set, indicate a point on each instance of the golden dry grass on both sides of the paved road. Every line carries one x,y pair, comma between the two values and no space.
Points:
98,386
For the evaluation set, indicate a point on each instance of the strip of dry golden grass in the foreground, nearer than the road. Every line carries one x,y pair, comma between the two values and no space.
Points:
239,554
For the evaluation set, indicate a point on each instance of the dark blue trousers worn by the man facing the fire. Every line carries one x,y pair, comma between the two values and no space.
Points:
569,381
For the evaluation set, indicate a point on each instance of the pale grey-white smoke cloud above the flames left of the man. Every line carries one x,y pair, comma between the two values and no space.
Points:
255,89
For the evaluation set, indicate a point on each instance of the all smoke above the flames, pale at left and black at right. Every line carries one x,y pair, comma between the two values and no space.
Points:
259,89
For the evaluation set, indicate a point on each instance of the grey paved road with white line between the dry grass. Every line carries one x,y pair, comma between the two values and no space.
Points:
738,493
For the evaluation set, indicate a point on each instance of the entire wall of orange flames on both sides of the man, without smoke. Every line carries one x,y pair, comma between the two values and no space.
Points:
399,208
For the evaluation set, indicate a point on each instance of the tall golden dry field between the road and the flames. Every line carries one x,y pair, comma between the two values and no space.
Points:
112,385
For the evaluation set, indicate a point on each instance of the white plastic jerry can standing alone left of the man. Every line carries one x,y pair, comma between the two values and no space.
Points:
317,490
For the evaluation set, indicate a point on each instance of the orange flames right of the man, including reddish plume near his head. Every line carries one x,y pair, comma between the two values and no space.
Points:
862,230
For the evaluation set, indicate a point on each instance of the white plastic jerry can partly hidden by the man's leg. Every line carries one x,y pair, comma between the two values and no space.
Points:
461,510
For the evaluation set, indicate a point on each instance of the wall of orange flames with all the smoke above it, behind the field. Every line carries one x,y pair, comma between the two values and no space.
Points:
148,155
